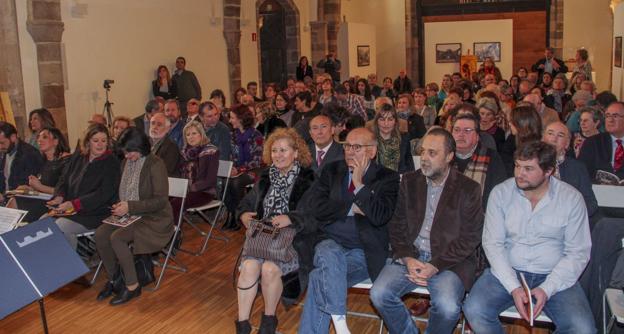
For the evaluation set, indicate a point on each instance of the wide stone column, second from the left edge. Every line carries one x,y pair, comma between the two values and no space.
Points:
46,28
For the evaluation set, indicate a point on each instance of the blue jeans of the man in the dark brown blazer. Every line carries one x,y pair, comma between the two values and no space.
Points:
445,288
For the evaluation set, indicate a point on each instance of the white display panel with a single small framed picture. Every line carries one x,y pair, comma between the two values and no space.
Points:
350,36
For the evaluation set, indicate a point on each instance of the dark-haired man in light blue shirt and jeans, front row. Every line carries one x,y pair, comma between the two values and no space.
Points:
536,225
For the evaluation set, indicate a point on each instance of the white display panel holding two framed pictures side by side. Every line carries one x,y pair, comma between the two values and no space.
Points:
467,33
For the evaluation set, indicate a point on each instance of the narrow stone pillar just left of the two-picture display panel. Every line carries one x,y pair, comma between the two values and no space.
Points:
413,35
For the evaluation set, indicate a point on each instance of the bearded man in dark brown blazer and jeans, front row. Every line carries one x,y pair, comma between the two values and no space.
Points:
433,248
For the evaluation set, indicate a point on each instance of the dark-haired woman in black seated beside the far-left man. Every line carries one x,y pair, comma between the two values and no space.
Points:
55,150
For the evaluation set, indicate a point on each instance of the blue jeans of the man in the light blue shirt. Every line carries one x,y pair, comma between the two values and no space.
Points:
568,309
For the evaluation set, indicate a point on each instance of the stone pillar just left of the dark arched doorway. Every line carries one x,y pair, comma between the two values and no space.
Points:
232,35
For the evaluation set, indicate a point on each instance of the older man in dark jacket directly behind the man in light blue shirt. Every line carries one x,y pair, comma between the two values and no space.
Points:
568,169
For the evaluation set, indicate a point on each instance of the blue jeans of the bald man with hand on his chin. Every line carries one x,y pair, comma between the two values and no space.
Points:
335,269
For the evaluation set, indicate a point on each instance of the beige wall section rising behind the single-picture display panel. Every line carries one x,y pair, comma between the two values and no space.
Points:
388,19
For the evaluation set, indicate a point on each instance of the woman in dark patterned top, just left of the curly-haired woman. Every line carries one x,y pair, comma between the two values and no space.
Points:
247,157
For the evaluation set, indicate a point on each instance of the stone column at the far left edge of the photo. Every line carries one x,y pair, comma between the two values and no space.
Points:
11,79
